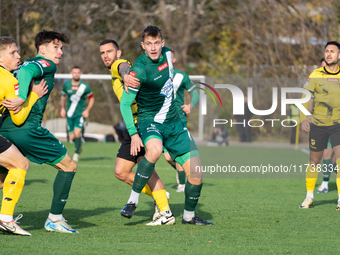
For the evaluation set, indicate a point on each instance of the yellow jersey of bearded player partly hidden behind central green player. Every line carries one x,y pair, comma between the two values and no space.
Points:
117,84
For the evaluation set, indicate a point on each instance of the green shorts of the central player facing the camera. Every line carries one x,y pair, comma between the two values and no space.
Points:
176,138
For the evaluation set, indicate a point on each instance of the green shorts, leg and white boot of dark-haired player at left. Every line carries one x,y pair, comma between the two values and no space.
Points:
40,146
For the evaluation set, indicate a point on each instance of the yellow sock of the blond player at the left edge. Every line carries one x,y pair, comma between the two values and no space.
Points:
12,188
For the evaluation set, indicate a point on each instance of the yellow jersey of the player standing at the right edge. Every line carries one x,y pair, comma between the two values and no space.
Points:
325,86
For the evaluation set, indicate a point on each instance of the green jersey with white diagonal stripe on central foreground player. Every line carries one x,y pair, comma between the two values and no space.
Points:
155,98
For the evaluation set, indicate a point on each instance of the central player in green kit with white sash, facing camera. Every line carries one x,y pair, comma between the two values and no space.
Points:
159,124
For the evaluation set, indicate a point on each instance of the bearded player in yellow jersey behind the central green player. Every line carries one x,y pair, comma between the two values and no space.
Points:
120,68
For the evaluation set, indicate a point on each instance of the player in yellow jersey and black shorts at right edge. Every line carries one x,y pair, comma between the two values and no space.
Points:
323,83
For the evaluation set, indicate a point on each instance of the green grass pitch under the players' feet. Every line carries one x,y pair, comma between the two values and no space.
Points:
252,215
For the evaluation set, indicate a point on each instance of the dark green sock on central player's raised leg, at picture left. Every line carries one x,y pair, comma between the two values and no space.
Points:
143,174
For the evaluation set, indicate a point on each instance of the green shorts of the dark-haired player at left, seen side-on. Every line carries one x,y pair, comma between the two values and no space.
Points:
38,145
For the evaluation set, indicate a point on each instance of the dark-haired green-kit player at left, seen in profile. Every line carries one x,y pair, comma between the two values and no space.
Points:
34,141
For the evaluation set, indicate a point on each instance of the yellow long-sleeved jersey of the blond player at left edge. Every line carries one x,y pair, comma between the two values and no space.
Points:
10,89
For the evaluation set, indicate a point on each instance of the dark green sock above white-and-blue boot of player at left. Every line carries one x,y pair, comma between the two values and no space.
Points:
61,189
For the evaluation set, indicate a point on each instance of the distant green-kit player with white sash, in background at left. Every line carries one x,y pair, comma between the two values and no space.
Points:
76,111
